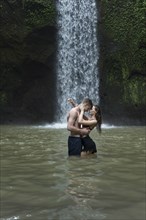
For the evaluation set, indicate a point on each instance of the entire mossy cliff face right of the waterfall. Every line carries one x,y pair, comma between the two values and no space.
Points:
121,65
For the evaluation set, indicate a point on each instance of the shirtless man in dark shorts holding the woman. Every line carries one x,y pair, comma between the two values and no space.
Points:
74,139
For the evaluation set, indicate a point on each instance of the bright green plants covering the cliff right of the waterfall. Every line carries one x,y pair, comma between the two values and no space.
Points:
125,24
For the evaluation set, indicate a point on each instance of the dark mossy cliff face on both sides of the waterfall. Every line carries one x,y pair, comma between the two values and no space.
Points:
28,51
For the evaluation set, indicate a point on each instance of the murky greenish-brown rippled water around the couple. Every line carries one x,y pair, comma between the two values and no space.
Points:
40,182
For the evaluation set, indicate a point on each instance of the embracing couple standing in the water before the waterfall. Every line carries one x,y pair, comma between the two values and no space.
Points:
80,126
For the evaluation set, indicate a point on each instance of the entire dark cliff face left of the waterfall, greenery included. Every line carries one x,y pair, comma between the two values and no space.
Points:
28,46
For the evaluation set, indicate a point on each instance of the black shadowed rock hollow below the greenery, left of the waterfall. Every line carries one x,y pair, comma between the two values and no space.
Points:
31,95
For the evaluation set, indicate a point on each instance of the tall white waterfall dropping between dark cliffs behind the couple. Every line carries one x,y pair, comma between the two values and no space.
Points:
77,55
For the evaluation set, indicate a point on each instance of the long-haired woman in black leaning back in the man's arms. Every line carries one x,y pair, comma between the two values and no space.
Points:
95,120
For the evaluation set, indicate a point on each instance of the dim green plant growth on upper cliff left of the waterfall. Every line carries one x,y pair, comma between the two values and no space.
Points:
18,19
